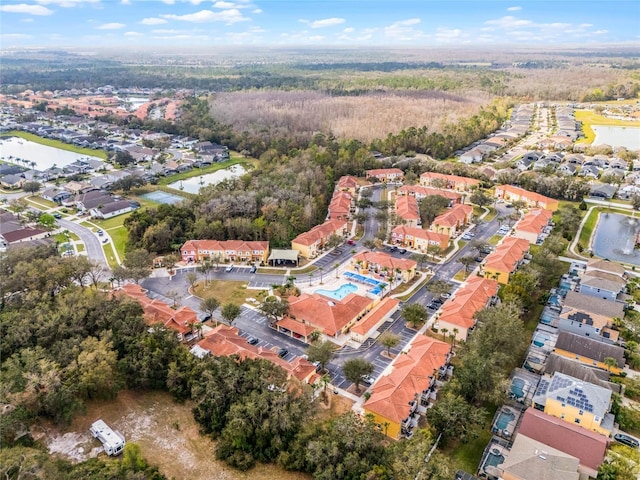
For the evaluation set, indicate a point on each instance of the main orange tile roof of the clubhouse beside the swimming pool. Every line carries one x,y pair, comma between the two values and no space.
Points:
326,314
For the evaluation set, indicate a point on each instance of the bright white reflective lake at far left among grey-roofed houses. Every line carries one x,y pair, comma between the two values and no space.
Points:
44,156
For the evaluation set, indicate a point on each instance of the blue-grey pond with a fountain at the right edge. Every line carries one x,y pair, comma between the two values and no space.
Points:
615,238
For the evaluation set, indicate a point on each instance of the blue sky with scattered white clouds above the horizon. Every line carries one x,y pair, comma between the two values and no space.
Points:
348,23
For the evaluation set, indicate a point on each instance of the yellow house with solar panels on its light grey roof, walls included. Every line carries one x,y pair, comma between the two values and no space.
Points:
575,401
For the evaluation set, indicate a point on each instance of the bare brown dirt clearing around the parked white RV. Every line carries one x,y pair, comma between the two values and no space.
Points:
166,432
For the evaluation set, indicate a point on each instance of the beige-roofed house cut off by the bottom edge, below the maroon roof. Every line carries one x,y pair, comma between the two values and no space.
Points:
529,459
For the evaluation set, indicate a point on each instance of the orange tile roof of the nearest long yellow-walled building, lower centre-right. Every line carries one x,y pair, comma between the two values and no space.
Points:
410,374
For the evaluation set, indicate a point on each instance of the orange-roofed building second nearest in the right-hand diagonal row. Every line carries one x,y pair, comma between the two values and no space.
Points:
458,313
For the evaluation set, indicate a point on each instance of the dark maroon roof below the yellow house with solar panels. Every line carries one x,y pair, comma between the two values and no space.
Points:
589,447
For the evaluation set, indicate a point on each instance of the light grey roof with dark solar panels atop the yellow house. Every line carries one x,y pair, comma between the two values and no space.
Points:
573,392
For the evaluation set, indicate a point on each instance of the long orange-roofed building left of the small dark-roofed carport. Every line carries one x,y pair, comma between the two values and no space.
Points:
225,251
